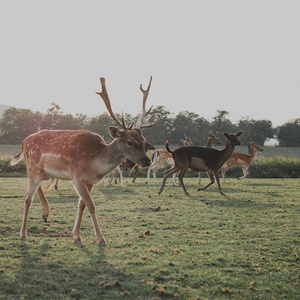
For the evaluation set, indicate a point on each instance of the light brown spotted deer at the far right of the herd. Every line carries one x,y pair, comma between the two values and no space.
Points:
241,160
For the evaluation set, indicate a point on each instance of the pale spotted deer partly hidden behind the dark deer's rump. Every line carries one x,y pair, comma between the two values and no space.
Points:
162,158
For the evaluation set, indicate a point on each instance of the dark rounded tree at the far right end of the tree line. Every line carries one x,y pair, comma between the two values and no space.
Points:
288,134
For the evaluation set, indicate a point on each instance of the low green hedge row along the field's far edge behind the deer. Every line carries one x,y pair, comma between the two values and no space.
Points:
275,167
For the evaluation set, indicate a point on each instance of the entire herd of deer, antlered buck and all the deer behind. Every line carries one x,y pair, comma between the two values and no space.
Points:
85,158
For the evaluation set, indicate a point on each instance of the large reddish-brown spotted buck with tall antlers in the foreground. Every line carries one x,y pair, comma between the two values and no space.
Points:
82,157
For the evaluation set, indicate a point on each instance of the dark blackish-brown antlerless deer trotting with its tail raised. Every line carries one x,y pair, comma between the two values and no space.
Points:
201,159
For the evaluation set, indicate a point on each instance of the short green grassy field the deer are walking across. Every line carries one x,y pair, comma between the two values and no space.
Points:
172,246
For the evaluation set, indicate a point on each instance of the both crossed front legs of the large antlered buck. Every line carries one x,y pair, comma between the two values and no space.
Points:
83,191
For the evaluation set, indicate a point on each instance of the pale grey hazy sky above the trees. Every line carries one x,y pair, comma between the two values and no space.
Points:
239,56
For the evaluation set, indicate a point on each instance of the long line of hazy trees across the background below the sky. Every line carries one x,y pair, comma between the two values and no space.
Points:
17,124
